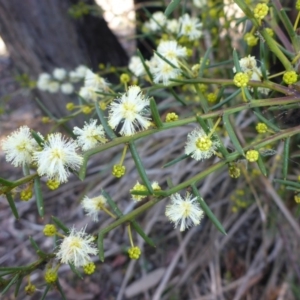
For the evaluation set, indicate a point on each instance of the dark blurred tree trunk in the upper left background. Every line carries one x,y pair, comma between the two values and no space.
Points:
40,36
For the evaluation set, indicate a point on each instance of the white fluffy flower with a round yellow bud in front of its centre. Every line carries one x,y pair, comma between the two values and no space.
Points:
199,145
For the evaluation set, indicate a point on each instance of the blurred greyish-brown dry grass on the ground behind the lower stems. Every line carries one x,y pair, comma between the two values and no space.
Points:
257,259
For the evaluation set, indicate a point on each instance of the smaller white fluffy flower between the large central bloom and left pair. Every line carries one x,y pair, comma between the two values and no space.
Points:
90,135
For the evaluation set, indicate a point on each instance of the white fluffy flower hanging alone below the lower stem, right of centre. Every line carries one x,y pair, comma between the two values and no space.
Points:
185,212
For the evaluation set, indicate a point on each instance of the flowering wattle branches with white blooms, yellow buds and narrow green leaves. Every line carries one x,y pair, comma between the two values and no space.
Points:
192,75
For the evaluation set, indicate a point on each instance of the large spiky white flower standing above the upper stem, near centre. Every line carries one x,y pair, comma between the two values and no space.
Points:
129,110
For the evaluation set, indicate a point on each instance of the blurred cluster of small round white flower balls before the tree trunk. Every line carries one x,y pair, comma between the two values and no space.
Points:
61,80
